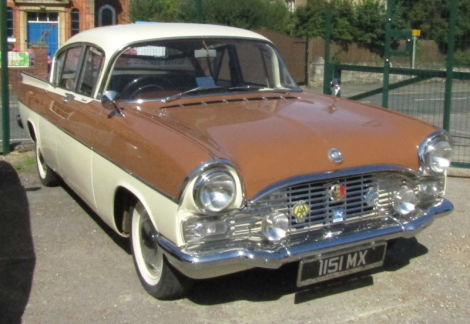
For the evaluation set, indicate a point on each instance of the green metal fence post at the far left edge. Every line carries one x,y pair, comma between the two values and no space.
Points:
4,77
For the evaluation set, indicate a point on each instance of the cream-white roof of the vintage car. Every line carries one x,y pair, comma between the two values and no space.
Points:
113,38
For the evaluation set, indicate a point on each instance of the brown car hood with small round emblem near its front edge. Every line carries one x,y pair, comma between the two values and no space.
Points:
272,138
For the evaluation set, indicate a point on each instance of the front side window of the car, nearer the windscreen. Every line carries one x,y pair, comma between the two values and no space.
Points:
91,70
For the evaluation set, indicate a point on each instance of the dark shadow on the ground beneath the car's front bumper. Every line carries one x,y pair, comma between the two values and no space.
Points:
267,285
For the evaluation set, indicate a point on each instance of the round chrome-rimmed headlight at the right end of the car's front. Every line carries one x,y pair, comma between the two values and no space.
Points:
436,154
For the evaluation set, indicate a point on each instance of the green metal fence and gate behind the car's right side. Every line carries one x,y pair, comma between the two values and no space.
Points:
426,76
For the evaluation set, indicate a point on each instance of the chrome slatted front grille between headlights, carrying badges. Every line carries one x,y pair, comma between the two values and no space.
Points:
358,201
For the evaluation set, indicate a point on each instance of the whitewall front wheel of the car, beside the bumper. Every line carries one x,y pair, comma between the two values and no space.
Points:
155,273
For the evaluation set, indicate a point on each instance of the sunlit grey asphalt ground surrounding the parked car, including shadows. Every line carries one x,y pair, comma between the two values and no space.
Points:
60,264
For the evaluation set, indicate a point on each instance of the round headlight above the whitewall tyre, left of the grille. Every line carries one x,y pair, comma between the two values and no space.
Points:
214,191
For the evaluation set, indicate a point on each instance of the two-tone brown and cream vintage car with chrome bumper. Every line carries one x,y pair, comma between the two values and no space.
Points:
195,142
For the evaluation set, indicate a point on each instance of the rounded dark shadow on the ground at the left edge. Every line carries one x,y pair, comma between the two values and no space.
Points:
17,257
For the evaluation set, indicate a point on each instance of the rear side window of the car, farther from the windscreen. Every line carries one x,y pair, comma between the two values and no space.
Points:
68,68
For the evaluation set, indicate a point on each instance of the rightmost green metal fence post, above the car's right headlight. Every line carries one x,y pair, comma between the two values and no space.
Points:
450,62
